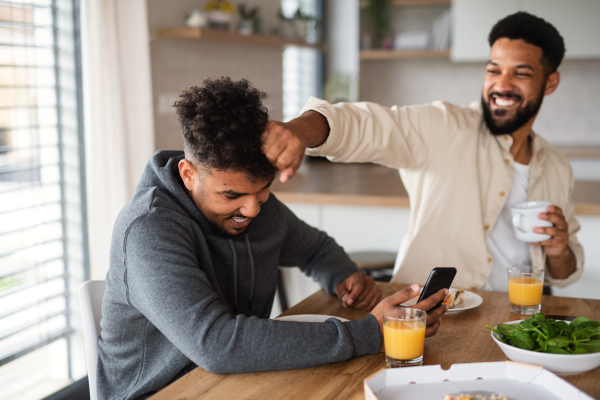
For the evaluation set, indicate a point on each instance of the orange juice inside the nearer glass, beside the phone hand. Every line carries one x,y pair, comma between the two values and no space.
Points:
404,340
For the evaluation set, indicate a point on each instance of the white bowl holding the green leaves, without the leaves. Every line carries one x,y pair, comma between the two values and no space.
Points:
558,363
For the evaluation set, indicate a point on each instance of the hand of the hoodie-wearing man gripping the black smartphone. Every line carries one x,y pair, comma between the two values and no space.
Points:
433,314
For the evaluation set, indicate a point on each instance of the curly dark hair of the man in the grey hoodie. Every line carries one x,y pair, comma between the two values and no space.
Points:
222,122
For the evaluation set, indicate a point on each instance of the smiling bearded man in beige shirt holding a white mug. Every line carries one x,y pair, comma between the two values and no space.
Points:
463,167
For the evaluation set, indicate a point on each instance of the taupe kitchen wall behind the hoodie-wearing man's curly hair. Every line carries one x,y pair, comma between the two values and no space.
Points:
179,64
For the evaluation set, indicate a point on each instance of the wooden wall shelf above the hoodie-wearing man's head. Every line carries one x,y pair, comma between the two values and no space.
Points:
228,37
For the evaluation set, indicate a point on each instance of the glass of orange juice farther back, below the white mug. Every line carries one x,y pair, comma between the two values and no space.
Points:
525,286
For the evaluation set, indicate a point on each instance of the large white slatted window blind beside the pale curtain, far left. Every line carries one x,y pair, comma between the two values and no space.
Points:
43,243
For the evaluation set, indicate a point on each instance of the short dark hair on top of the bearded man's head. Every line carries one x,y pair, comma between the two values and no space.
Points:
535,31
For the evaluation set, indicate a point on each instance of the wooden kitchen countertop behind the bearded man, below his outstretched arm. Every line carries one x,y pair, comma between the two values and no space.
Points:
322,182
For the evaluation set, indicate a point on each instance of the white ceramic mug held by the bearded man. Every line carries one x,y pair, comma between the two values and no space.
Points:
525,218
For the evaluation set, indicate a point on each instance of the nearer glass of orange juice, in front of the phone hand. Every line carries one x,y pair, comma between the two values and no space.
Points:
404,336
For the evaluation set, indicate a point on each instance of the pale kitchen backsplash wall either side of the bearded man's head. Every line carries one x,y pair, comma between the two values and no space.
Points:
569,116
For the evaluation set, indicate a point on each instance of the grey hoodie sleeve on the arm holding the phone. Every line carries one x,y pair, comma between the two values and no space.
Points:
166,284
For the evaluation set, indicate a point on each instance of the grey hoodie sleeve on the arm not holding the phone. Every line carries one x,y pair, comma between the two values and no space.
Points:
314,252
